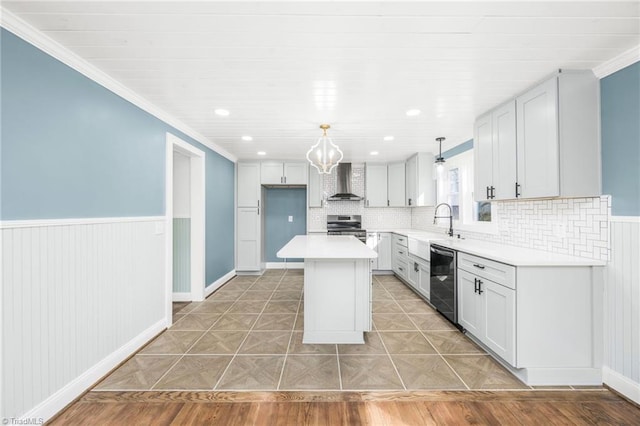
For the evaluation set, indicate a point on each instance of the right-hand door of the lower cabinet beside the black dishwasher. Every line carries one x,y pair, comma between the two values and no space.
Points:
499,325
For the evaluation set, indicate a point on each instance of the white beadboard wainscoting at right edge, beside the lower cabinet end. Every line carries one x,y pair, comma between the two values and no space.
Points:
622,308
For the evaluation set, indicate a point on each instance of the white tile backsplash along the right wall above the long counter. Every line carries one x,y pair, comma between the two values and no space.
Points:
574,226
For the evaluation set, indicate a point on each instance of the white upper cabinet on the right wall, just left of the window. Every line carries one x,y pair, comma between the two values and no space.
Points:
420,185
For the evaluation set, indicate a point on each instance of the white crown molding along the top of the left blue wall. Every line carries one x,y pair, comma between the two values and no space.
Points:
27,32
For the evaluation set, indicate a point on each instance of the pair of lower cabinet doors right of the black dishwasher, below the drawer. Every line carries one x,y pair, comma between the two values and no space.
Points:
487,310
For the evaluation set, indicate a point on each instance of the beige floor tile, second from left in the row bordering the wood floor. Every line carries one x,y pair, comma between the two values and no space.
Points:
194,372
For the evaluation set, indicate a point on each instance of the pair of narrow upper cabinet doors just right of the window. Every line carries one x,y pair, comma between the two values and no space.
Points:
495,154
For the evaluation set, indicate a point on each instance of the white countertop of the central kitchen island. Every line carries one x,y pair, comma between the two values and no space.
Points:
326,247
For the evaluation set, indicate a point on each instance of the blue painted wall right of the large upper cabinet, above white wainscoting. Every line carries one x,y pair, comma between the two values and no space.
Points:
620,115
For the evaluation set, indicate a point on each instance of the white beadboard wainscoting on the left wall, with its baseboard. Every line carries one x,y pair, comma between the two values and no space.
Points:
78,297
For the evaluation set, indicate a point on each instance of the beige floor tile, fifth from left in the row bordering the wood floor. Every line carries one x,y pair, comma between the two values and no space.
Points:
360,372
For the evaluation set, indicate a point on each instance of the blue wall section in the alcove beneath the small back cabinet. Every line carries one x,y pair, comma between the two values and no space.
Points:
280,203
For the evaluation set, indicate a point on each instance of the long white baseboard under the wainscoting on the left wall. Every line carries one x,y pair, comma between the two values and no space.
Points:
59,400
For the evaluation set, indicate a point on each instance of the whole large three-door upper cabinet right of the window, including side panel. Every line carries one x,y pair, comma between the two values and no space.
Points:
543,144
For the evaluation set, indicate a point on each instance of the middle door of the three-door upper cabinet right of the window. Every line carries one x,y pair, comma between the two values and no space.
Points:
504,151
